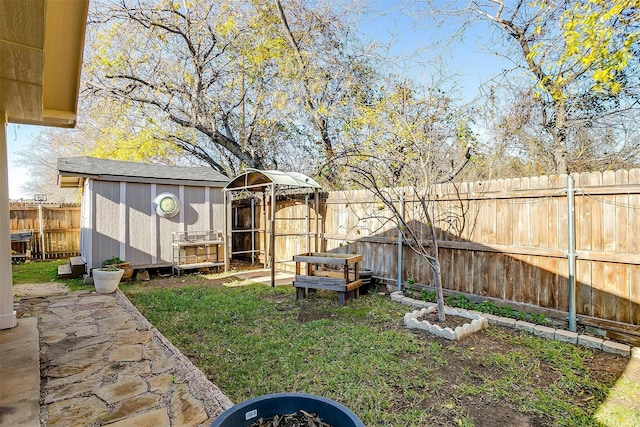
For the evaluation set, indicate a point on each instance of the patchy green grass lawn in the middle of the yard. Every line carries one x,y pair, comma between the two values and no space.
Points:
254,340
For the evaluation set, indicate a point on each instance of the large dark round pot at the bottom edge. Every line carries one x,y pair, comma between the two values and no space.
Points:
268,406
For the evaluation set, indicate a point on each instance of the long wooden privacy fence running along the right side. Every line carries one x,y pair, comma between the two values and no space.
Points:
505,239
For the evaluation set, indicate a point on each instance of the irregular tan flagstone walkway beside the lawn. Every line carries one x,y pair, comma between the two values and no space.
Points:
103,363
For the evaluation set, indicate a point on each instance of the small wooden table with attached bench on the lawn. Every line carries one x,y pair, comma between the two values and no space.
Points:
337,278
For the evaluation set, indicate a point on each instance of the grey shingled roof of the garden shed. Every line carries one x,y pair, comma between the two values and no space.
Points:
72,171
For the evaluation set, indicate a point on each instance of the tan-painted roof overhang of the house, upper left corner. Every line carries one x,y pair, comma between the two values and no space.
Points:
41,46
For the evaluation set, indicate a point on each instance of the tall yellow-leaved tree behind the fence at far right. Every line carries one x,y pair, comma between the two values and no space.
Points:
563,52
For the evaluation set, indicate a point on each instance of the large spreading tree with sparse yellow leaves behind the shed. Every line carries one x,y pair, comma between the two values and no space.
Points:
231,84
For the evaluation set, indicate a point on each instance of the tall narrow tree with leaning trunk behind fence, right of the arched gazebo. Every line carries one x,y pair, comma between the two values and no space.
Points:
324,86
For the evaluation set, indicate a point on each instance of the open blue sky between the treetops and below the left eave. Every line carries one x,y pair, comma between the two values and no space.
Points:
389,24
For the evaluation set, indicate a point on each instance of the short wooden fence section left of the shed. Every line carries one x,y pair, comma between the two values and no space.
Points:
54,229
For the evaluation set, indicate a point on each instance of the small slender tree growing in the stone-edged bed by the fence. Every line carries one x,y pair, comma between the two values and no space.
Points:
407,142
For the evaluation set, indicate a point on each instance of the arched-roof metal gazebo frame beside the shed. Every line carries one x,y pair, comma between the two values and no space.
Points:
268,183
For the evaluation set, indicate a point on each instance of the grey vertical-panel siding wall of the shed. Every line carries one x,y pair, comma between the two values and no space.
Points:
133,231
